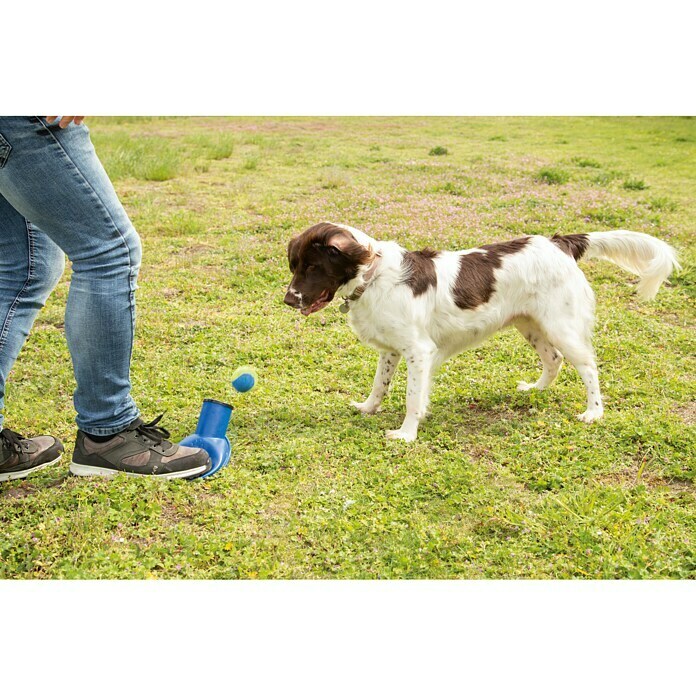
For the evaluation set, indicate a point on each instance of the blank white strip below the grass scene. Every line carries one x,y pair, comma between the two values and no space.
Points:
347,637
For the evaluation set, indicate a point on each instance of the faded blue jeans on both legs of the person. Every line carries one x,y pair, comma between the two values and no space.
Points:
56,199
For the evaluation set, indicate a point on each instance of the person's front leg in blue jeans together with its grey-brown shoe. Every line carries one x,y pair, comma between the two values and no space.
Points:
53,177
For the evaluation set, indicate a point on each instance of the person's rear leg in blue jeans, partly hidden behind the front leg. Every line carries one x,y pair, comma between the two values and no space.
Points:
30,266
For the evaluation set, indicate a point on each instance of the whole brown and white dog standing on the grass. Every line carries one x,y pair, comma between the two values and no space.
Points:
427,306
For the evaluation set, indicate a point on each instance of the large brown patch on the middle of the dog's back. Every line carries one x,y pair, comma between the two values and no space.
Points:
475,282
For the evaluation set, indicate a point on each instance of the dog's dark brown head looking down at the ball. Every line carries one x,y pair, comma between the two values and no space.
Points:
322,259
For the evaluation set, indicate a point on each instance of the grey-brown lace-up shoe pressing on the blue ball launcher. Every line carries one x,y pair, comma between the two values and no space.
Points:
142,449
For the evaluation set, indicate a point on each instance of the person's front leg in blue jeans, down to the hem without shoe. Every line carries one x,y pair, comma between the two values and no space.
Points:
54,178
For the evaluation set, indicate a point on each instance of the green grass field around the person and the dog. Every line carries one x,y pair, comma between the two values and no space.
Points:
500,484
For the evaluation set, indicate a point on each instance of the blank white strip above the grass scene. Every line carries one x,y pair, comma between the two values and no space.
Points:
370,57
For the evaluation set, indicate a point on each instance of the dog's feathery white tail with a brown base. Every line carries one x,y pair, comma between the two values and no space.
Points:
648,257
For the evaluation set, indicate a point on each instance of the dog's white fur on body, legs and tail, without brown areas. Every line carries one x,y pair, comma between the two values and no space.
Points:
540,290
